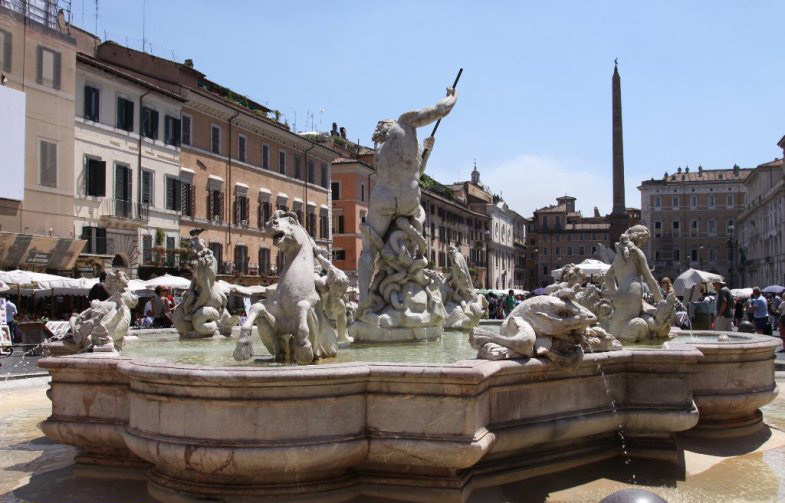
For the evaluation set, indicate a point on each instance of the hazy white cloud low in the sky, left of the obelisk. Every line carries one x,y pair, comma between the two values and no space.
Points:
530,181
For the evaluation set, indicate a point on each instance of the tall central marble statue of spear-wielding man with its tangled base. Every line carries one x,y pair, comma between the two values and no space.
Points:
400,298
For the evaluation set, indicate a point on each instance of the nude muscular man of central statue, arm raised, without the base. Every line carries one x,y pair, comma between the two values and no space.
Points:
400,162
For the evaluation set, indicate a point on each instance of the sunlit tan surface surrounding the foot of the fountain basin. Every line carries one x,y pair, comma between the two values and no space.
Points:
36,470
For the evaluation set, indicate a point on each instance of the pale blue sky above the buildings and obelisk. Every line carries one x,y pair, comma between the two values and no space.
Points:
702,82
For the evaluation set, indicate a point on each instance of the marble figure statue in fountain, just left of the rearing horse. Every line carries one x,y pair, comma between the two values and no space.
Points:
203,311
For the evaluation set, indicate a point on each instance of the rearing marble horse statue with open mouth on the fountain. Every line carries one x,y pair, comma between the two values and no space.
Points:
293,323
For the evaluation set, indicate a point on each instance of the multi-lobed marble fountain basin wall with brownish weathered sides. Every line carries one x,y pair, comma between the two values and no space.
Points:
415,432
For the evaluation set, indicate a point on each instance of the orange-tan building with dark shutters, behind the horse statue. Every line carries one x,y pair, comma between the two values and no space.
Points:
238,164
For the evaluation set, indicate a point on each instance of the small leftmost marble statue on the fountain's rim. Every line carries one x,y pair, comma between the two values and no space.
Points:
103,326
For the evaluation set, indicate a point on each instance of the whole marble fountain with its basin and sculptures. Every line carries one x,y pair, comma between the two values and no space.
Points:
549,391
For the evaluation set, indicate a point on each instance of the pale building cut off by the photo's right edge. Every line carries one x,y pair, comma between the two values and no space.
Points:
759,240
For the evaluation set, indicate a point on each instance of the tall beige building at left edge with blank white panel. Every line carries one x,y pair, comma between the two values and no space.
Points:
37,62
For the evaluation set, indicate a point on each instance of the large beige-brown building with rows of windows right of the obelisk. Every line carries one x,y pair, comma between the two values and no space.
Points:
691,215
